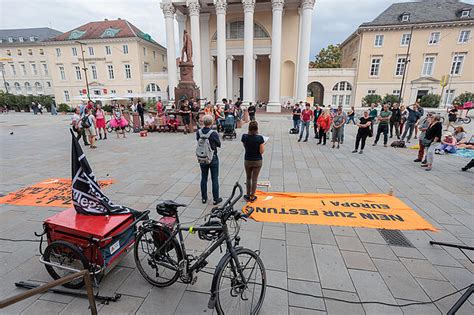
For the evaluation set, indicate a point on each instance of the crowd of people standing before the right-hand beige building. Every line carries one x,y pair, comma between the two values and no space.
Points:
391,120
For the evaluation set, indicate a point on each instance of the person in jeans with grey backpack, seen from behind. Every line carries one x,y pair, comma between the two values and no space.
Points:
214,142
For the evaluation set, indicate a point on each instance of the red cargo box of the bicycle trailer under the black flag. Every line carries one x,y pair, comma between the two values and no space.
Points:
102,239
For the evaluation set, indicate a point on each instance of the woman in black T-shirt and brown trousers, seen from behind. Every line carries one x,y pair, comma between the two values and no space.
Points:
254,145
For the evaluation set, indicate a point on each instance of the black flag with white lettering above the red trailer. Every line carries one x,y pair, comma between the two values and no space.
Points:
87,197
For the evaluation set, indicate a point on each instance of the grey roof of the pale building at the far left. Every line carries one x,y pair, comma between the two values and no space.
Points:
40,34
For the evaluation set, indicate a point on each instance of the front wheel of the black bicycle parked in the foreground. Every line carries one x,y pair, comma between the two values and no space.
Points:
241,288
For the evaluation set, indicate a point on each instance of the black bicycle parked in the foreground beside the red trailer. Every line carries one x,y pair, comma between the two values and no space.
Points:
161,257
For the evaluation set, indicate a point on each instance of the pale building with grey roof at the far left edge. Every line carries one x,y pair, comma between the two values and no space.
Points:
24,62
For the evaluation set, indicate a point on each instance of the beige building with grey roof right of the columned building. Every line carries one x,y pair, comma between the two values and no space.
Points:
420,43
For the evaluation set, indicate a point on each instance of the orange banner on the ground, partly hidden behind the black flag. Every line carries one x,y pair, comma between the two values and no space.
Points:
54,192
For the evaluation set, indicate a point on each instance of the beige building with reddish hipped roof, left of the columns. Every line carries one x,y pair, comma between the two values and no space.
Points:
117,56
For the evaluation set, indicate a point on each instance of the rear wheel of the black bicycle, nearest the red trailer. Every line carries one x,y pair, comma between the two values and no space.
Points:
157,264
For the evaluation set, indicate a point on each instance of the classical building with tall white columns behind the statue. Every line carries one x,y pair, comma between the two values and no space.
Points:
257,50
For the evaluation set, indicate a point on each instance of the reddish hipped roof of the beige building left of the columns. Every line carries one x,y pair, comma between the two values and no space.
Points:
105,29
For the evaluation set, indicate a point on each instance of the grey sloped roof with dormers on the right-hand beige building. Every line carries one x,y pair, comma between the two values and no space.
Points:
423,11
